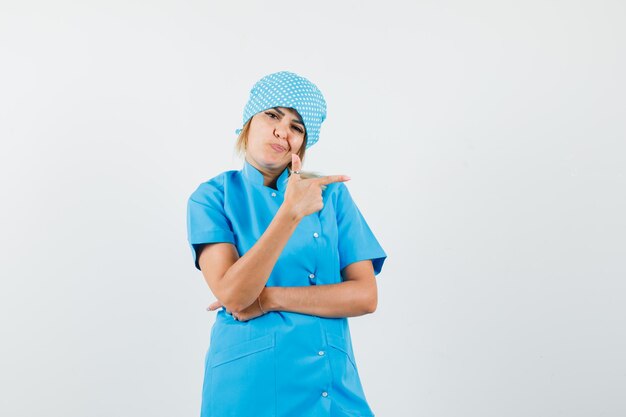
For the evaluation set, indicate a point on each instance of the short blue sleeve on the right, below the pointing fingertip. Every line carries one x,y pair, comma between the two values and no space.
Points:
356,240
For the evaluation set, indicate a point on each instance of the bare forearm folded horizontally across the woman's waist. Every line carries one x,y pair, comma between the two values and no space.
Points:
346,299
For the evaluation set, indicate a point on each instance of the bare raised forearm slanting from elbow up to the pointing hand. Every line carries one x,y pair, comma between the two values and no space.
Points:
247,277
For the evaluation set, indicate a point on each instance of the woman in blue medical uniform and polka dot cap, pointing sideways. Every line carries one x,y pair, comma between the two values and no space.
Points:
289,257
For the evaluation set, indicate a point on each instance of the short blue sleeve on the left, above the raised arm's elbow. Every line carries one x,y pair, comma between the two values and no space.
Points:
206,218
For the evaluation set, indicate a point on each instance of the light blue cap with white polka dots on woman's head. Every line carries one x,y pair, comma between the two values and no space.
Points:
286,89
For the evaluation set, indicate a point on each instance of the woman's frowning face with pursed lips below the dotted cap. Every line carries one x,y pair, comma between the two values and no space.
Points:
274,135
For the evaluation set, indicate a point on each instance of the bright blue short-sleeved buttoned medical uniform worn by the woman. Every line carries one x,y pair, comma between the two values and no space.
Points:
282,363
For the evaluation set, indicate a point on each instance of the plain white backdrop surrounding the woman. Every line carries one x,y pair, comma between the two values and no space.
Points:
486,145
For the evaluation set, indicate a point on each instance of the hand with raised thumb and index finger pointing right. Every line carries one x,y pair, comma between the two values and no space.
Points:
304,196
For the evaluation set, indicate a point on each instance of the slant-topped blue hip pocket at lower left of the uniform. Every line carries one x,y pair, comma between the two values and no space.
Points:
243,379
